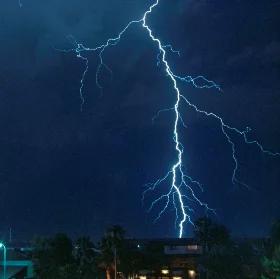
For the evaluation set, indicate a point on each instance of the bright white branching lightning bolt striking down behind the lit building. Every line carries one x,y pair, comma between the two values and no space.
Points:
181,186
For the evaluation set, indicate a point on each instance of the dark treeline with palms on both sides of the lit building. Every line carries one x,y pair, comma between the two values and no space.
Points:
223,257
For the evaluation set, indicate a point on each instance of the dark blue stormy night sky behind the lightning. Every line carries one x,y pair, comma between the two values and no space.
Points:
66,170
